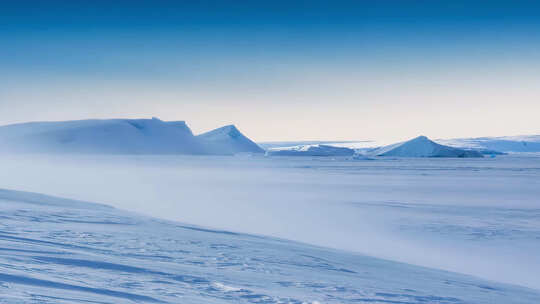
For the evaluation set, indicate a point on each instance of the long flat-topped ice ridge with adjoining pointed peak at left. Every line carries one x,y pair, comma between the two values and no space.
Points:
121,136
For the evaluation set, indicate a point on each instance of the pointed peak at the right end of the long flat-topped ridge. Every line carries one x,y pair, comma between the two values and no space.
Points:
228,140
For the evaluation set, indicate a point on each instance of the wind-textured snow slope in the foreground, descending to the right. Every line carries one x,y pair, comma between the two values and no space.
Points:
52,251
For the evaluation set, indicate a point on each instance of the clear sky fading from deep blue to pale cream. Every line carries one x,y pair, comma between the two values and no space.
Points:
278,70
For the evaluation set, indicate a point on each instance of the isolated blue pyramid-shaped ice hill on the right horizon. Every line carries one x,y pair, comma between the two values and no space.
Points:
423,147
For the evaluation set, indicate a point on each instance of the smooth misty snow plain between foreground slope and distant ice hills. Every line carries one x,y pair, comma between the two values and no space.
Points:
478,216
